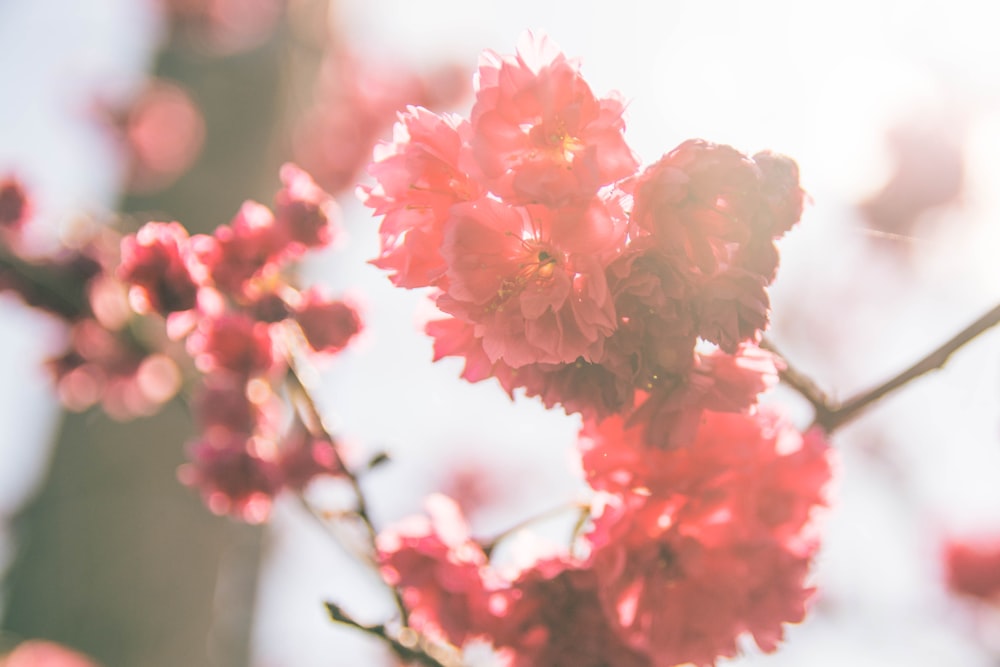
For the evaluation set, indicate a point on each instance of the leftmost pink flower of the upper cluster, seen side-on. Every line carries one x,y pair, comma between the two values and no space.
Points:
418,179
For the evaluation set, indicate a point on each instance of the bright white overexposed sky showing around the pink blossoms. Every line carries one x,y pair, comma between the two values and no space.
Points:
820,82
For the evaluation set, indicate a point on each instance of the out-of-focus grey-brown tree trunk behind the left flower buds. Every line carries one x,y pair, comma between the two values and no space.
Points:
115,557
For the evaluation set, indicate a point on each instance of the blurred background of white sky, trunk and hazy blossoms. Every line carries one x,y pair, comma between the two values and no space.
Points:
123,111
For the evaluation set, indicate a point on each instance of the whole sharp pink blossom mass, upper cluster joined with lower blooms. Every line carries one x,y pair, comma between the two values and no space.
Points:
634,297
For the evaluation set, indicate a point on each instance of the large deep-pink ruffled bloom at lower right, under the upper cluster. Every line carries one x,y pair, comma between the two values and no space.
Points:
700,544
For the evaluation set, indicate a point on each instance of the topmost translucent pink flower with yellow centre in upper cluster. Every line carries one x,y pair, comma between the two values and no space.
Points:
539,133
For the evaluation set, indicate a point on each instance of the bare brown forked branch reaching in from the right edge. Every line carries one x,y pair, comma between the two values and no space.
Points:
831,414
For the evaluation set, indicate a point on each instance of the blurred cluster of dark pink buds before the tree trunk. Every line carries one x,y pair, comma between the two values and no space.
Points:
151,310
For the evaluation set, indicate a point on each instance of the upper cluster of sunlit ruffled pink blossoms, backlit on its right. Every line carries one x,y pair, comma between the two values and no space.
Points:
565,270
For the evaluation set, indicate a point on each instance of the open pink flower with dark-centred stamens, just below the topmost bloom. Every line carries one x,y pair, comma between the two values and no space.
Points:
519,280
